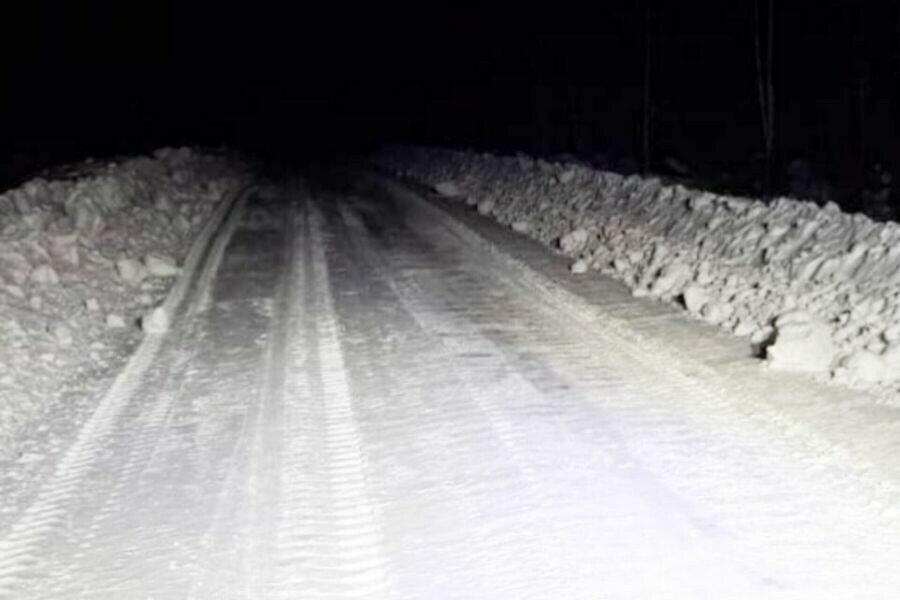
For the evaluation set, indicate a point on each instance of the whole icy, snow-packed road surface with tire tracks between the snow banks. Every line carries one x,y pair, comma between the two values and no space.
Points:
367,397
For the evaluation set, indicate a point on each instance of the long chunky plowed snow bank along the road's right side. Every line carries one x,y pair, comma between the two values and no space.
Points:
813,288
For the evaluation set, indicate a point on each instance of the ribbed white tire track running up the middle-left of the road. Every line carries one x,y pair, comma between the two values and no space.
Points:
328,539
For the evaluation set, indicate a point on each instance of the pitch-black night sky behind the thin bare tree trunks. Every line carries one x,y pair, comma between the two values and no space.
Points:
101,78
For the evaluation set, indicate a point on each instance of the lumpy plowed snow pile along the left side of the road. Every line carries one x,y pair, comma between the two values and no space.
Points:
83,257
